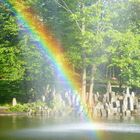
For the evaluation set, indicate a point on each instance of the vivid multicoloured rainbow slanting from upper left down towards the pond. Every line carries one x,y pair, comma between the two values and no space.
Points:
49,44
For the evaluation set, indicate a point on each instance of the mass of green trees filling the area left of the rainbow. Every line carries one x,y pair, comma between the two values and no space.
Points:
23,69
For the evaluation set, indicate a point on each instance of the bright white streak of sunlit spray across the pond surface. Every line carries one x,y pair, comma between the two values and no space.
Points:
73,128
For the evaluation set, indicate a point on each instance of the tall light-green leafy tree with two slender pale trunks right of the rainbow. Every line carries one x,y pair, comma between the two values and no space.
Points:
93,19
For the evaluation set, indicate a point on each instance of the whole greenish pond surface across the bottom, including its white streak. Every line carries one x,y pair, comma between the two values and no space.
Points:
43,128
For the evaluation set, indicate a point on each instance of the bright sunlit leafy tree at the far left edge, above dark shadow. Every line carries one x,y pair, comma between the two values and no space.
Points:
11,65
